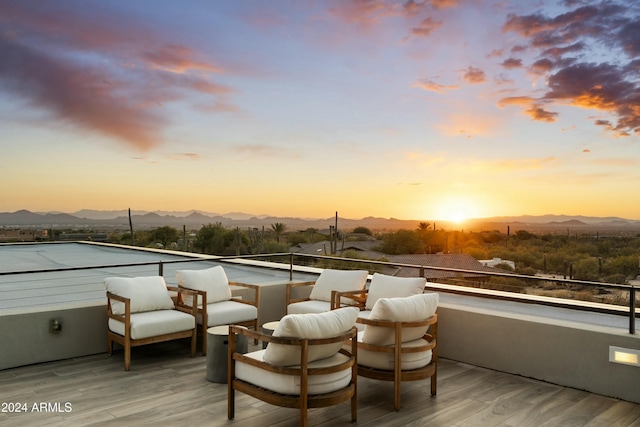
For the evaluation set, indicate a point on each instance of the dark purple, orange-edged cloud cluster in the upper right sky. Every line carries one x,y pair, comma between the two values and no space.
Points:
564,45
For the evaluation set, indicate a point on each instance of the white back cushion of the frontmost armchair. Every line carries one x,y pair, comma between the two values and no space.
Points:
312,326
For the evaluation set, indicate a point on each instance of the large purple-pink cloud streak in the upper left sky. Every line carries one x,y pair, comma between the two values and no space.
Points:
49,58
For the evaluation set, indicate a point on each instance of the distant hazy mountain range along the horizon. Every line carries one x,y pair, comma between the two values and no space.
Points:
119,219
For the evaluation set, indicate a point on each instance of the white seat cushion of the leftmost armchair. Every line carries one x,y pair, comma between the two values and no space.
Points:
154,323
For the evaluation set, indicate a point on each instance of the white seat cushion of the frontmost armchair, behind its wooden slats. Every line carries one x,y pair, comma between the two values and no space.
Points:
290,384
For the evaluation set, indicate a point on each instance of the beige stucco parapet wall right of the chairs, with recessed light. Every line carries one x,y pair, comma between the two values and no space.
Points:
554,345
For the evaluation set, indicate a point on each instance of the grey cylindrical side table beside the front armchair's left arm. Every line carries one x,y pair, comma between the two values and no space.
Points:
218,352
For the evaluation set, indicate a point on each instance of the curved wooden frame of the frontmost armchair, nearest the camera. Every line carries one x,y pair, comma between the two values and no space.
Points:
303,401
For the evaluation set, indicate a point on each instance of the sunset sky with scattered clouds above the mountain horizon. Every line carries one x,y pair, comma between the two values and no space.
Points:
434,109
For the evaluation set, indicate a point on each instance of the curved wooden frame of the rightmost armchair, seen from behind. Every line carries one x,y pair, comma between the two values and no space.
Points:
397,375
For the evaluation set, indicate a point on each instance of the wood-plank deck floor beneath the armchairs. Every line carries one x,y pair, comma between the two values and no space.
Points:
167,388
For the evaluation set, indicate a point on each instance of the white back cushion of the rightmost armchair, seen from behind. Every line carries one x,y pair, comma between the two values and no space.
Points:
407,309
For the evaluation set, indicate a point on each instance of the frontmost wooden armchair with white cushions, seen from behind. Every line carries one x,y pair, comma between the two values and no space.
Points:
309,362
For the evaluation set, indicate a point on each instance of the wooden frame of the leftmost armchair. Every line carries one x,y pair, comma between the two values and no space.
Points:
127,342
